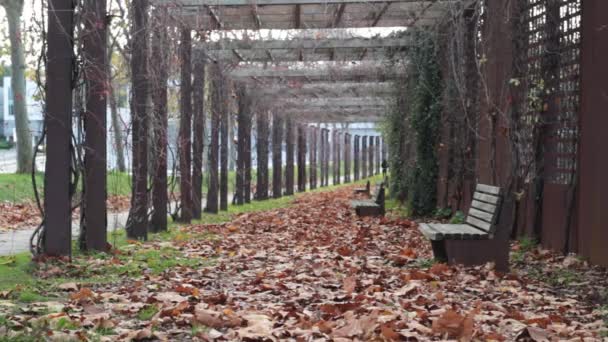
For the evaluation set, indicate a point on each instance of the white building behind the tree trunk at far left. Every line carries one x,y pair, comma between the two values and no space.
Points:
7,112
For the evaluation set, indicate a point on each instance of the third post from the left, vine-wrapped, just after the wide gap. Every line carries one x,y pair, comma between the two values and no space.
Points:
137,223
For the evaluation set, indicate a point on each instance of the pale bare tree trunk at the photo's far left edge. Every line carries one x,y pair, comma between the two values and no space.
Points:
14,10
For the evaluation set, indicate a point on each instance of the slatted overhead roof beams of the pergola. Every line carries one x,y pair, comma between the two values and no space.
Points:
309,48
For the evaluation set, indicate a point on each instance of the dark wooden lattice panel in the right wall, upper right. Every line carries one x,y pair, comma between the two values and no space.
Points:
552,30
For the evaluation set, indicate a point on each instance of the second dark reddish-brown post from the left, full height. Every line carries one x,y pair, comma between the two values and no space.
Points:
93,223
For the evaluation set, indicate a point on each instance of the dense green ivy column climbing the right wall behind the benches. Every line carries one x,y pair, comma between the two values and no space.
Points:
414,122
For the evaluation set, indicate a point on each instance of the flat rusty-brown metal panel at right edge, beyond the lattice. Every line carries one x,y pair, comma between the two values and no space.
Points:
593,164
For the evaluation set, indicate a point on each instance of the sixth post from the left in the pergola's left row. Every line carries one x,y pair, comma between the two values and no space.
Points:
199,136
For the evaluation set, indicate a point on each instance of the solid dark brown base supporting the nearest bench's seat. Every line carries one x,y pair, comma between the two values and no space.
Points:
479,252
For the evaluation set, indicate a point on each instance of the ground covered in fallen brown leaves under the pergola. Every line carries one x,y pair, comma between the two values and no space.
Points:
310,272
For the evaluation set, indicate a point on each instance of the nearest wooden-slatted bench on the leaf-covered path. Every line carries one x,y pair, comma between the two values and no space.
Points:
477,241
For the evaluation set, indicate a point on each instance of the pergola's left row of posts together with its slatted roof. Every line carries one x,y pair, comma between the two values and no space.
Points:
297,63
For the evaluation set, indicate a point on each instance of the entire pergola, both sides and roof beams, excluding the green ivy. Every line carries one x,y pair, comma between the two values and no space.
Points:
294,76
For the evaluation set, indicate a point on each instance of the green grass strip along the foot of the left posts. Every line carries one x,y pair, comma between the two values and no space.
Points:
17,271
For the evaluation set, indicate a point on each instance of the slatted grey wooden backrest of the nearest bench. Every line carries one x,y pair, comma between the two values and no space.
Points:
485,208
